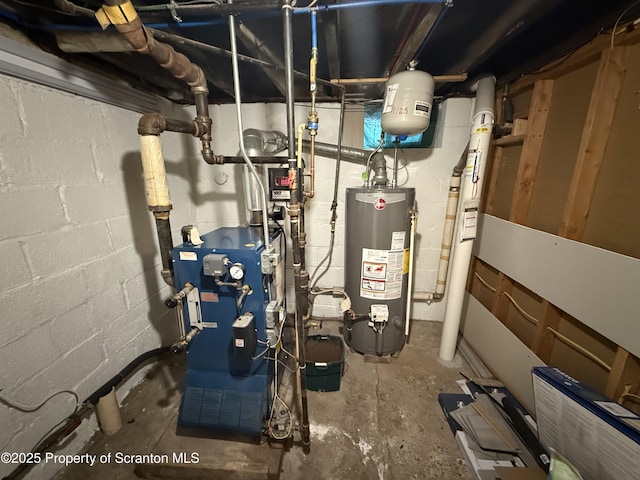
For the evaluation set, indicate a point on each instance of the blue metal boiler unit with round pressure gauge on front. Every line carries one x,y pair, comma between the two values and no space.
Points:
226,305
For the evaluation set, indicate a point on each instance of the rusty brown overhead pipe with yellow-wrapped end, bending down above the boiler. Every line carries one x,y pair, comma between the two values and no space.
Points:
124,17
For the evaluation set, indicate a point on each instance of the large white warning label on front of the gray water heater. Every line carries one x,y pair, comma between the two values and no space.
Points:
382,274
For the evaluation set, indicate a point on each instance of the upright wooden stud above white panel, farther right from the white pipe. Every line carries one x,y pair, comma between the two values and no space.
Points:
595,135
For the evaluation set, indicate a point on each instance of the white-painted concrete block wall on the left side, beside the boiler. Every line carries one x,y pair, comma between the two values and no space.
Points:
80,287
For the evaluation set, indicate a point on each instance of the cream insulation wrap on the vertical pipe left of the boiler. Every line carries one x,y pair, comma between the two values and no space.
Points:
155,176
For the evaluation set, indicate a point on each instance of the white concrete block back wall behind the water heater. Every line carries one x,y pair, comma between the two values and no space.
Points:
428,170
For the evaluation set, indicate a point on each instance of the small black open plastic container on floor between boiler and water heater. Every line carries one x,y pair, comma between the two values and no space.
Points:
324,362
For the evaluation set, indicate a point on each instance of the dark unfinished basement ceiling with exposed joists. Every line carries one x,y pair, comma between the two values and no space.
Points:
507,38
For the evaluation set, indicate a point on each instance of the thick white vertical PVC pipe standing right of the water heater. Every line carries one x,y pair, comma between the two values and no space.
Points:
471,188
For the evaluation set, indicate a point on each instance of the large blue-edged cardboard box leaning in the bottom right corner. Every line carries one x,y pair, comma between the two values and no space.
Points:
599,436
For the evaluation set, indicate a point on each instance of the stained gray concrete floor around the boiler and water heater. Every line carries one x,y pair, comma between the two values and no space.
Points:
384,423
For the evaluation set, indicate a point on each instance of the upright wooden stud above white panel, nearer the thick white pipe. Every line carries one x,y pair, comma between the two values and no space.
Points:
530,157
